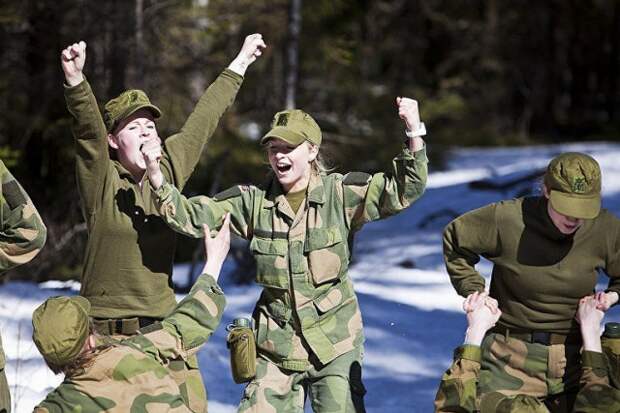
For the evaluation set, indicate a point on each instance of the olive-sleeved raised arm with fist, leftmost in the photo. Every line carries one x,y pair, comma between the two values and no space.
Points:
89,131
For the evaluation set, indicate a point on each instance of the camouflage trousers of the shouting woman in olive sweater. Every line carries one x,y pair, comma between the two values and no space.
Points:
187,376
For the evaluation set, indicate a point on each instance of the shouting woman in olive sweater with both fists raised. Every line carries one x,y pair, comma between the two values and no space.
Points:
130,250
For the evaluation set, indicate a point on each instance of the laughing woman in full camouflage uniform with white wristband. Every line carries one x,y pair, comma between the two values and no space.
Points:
300,226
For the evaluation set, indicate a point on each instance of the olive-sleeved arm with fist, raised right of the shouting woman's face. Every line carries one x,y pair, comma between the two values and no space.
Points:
183,150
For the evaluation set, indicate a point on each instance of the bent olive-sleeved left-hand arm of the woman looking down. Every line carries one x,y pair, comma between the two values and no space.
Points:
465,239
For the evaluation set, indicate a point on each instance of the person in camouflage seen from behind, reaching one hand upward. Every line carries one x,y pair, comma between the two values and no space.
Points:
103,374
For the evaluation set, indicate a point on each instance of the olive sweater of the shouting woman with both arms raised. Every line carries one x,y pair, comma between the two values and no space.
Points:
129,254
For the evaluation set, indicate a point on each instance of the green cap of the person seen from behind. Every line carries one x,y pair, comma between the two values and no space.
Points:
60,328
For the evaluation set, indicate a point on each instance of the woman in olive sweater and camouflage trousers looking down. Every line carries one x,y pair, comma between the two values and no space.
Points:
546,251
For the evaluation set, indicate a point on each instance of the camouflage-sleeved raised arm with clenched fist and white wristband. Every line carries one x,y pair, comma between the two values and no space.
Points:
372,197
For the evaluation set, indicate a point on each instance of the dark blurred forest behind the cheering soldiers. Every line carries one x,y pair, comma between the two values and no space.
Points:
486,73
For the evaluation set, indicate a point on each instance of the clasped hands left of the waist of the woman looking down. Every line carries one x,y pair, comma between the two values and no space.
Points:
480,317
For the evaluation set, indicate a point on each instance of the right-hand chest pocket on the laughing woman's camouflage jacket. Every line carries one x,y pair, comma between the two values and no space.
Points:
327,254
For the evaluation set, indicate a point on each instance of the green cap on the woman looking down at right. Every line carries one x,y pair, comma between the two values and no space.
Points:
574,184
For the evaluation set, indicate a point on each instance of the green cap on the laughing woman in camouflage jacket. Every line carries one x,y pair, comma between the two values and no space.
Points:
294,126
